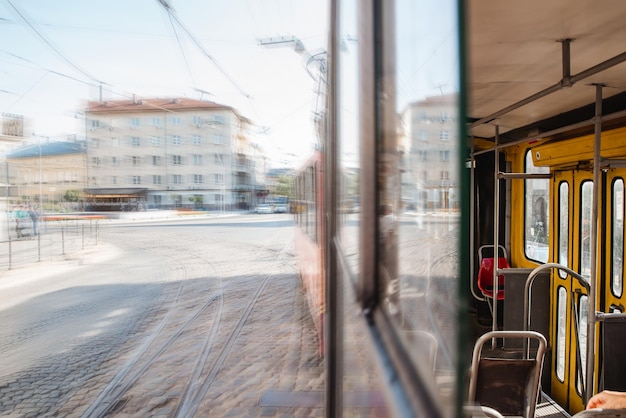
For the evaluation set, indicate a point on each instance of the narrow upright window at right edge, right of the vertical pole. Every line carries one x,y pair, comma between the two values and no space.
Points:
617,259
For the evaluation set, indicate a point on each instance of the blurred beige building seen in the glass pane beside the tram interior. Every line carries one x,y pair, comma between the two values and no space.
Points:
429,143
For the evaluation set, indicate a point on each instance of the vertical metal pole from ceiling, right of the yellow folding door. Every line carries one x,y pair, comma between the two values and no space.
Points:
593,278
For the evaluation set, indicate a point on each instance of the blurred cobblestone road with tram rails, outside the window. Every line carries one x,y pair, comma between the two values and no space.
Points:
143,323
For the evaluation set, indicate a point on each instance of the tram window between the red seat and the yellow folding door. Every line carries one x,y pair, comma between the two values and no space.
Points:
536,214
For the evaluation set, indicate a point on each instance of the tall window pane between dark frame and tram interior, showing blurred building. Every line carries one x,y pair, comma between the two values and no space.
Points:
419,180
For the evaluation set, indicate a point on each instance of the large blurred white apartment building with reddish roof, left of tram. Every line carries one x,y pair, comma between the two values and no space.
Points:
170,153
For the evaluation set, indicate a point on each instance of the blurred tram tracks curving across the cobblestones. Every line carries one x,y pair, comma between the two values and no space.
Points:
118,392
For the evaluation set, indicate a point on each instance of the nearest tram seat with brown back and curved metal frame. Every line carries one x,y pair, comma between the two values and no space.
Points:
508,385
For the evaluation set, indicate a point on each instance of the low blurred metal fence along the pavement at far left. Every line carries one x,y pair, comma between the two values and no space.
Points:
20,246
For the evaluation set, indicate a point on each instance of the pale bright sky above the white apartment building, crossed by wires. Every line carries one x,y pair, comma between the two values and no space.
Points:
62,53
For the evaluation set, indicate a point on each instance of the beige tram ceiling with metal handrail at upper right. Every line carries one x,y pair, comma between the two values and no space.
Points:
532,65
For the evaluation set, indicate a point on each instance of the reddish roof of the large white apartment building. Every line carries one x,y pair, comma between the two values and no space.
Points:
156,104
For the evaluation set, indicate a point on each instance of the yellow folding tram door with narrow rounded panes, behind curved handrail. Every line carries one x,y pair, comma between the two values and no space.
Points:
573,200
